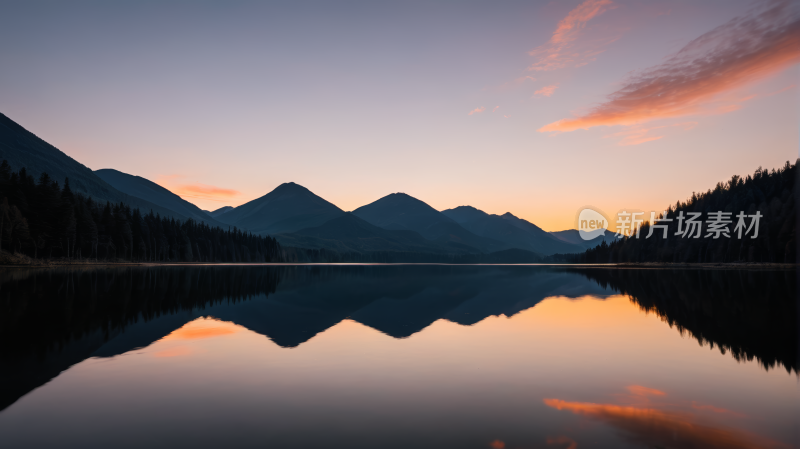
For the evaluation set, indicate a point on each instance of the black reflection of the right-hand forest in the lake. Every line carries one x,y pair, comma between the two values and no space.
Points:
750,313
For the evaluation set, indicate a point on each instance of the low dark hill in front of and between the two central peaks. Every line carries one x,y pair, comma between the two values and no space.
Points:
349,233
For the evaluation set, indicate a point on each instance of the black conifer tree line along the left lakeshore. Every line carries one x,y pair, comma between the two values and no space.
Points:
41,219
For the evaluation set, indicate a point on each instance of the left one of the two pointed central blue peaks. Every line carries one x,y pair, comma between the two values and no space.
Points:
288,208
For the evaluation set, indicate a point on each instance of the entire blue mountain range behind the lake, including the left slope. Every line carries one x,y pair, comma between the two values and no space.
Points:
299,218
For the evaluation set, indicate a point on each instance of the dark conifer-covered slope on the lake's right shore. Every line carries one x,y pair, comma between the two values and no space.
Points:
769,194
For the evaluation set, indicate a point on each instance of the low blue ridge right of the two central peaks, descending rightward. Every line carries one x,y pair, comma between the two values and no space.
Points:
512,231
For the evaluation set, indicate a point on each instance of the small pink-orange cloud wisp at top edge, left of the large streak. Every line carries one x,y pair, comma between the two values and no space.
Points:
561,50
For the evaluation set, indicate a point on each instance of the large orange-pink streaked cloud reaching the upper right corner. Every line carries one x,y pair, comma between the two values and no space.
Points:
745,49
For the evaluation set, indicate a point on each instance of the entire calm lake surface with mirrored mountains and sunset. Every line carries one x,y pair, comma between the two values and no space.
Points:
398,357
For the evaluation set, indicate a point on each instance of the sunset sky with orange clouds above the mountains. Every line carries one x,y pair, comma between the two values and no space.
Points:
533,108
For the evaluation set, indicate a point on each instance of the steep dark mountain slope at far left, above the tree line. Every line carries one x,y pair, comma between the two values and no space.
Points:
21,148
